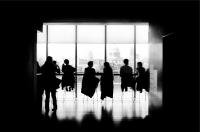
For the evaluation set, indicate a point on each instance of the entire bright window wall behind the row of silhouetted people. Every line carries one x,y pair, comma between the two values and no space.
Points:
80,43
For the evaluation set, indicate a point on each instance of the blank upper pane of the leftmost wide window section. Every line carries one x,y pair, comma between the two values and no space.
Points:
61,33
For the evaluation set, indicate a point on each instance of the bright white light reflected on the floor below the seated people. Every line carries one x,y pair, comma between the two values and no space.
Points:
123,105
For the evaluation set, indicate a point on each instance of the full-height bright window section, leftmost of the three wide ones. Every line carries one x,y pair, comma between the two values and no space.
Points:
61,43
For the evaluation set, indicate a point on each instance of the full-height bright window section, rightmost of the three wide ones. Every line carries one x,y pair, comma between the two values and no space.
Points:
120,45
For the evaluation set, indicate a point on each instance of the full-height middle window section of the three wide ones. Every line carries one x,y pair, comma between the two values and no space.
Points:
90,46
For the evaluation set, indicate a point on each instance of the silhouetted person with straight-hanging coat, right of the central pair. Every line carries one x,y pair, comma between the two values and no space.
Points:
107,81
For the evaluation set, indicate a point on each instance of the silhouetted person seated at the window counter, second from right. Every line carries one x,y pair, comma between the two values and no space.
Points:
126,74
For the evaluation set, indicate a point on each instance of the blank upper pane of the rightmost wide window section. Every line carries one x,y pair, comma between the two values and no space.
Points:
120,34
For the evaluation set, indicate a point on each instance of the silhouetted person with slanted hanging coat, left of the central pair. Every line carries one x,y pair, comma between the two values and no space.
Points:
89,82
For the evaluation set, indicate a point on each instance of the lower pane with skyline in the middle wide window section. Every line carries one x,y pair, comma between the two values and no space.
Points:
90,52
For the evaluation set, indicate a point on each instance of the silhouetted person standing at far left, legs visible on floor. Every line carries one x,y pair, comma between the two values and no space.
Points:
49,82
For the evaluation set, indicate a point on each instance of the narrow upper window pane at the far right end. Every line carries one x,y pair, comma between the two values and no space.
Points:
142,33
